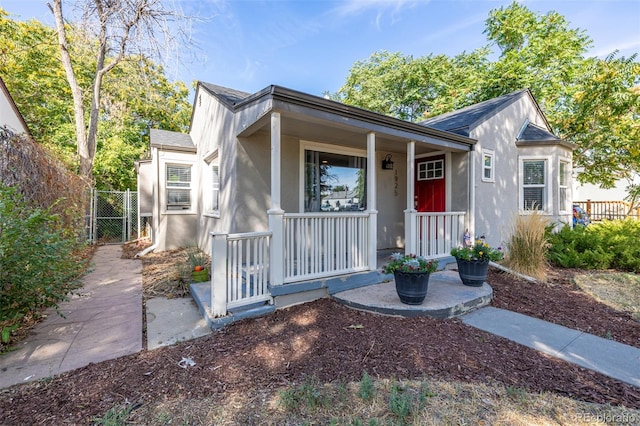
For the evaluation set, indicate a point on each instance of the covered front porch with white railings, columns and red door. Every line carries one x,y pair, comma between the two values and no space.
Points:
307,246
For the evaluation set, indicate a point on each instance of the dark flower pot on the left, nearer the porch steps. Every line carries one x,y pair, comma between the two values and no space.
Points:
411,274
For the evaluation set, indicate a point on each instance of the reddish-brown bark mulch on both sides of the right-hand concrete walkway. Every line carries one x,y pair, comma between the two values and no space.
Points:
330,342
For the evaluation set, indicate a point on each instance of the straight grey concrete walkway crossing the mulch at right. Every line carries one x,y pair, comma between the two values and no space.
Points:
613,359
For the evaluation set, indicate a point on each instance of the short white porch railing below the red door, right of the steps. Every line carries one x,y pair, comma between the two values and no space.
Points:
438,232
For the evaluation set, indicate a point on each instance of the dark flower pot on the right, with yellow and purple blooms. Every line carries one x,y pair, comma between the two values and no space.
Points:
473,261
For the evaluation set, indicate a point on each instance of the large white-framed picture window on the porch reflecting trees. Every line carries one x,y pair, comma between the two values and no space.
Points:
334,182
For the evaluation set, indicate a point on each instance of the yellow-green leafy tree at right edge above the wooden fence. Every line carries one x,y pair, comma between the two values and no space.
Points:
603,118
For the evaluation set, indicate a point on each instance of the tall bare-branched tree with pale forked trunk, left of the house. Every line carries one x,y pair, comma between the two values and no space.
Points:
117,29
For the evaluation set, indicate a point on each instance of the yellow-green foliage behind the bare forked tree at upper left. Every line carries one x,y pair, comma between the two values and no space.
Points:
135,96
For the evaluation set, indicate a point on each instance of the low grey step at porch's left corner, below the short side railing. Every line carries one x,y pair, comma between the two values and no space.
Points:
201,293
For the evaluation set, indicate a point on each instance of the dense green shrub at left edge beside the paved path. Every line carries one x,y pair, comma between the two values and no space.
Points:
37,262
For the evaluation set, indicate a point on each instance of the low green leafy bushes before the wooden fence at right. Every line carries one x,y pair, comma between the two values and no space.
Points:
606,245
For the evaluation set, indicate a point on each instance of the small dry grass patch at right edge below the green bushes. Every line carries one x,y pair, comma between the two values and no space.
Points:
619,290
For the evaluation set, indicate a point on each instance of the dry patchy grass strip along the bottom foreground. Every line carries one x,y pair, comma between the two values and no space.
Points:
429,402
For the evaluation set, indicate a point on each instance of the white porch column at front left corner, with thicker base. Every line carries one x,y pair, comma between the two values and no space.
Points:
276,214
